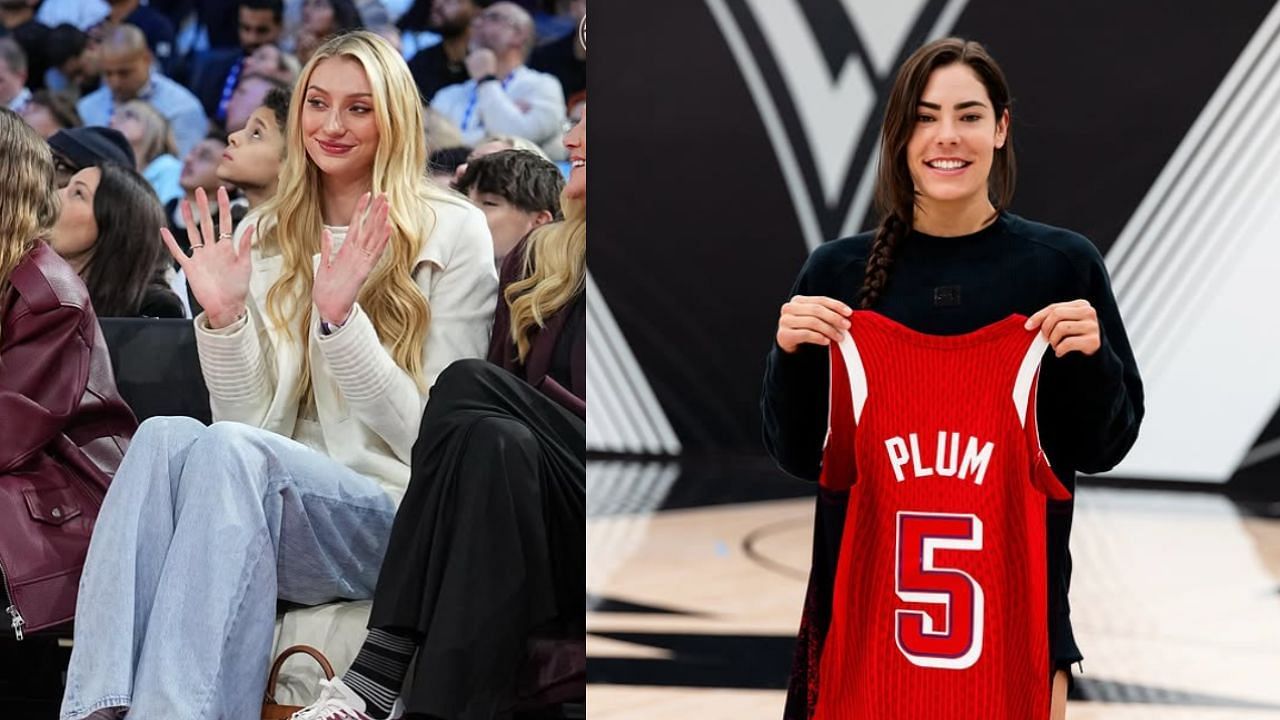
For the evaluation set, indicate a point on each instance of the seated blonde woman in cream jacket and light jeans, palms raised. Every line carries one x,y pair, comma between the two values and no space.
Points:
327,318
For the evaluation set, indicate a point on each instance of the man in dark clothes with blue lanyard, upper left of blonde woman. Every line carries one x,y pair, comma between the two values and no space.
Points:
218,74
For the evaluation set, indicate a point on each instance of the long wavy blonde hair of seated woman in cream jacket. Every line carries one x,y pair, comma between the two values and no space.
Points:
292,220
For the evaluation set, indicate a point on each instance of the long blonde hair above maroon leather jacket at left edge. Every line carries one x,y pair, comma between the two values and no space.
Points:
30,208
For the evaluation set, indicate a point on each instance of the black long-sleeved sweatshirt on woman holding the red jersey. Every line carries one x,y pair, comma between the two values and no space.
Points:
1089,407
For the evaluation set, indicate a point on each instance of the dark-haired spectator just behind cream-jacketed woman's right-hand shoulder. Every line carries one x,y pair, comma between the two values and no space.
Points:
518,192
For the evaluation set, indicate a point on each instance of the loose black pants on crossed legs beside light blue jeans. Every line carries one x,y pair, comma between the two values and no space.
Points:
490,541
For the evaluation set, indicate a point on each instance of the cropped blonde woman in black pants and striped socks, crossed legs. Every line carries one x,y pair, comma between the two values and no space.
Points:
500,471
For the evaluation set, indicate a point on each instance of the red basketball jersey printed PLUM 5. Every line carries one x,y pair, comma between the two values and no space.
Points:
940,607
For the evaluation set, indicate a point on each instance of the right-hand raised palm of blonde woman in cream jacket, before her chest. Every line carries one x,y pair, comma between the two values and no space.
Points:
341,275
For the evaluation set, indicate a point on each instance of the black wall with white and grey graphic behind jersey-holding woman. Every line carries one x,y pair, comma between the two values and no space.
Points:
749,138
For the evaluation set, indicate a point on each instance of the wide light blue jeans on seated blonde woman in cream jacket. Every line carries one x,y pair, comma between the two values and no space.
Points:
202,531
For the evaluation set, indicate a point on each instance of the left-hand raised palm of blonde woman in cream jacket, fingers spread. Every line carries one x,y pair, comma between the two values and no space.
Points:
217,271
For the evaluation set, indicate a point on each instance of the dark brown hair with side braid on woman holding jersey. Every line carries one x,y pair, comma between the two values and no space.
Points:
895,192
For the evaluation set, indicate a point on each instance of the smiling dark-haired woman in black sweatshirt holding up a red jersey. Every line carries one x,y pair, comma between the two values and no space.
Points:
949,258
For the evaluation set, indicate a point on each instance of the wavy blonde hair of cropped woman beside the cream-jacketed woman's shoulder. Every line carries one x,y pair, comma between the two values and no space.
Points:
555,274
